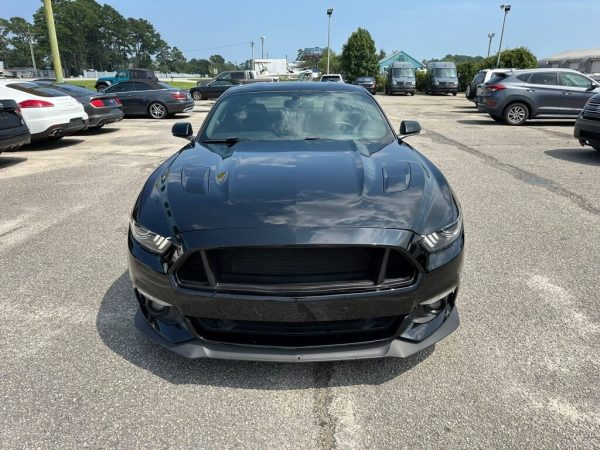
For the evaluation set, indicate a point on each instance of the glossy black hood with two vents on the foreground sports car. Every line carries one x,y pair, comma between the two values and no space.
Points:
314,184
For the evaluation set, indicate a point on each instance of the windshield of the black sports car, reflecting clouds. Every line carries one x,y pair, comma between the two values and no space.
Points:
297,115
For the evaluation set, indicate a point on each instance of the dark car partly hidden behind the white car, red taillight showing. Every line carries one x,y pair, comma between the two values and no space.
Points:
101,108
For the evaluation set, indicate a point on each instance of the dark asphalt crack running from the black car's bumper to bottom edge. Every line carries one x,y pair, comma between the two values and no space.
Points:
323,397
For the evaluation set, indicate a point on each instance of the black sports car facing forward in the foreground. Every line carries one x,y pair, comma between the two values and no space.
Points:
296,226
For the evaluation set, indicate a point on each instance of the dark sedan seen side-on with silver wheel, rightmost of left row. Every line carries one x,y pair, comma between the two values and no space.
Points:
155,99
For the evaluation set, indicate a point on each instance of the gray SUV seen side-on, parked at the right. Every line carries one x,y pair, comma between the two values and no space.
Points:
537,93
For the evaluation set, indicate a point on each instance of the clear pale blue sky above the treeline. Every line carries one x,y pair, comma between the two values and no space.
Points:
422,28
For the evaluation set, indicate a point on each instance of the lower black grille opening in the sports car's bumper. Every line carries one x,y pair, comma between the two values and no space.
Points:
292,334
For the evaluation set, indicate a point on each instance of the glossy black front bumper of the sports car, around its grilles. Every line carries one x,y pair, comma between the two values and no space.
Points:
155,283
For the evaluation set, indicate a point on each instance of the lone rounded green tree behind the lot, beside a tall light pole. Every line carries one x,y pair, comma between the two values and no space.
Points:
359,55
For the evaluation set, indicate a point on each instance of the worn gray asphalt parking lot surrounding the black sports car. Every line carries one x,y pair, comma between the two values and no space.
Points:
521,371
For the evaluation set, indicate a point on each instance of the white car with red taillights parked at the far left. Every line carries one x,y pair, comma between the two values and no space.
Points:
49,114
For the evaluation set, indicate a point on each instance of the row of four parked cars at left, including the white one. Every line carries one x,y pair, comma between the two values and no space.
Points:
50,110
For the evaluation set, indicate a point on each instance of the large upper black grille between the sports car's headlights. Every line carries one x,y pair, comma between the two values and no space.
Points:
297,269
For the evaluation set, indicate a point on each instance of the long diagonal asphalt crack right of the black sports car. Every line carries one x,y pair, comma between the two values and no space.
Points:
518,173
